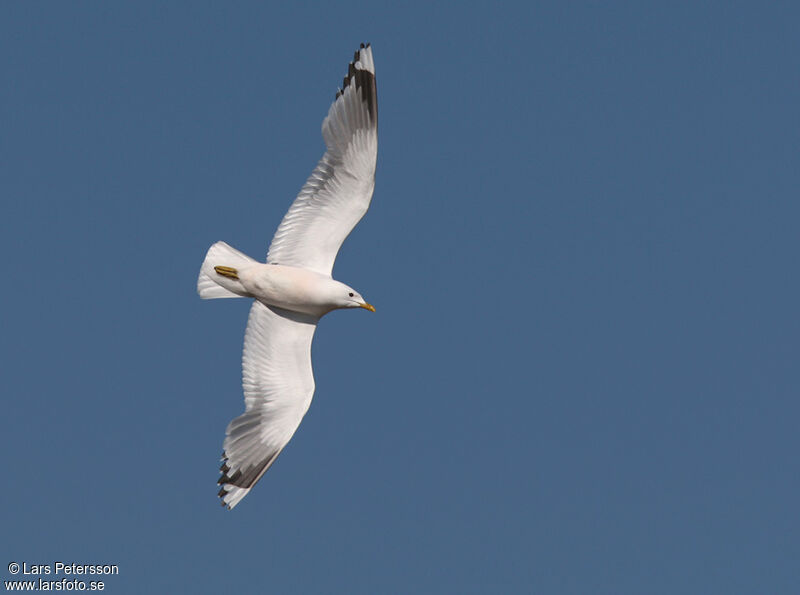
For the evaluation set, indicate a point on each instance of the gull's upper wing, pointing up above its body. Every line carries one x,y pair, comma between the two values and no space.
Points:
339,190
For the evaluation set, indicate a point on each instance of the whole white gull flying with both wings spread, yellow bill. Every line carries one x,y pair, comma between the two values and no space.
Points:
294,288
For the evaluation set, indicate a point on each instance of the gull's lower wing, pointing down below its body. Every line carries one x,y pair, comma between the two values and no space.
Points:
278,386
